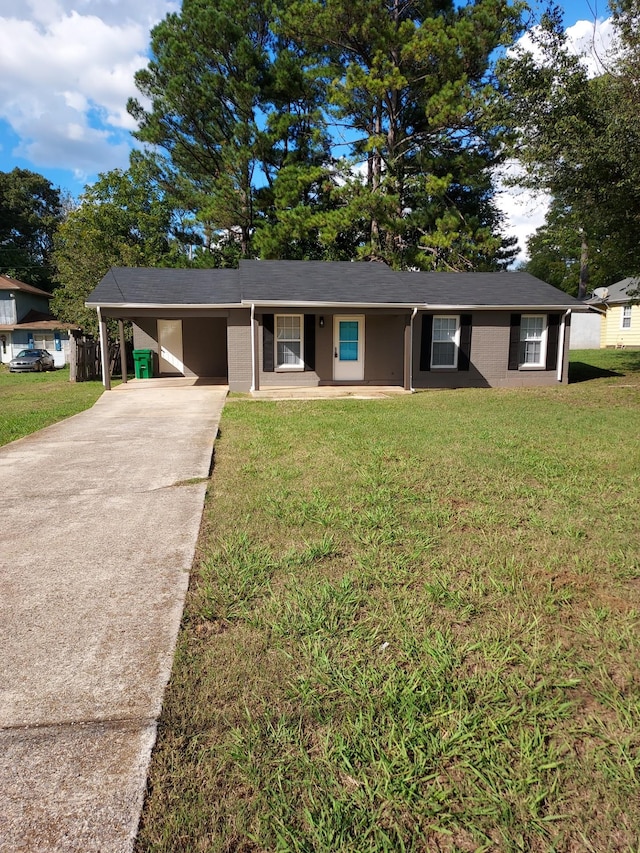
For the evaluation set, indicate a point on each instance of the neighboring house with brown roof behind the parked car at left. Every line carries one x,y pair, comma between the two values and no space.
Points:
25,322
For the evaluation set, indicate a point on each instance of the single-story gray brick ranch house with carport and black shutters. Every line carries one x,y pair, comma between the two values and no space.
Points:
309,323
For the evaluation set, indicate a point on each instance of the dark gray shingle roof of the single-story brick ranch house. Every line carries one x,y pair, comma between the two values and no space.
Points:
324,283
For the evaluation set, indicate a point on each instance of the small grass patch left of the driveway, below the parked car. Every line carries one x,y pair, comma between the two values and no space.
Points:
31,401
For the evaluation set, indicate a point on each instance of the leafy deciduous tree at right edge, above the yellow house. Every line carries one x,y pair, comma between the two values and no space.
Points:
578,138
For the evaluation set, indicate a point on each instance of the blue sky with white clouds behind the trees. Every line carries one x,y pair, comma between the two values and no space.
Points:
66,72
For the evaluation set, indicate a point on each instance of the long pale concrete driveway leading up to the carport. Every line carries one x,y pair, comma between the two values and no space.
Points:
98,526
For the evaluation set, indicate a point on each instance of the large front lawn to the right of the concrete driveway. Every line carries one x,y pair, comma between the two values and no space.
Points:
413,626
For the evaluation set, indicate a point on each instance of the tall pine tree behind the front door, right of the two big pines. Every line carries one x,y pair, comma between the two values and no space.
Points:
408,86
